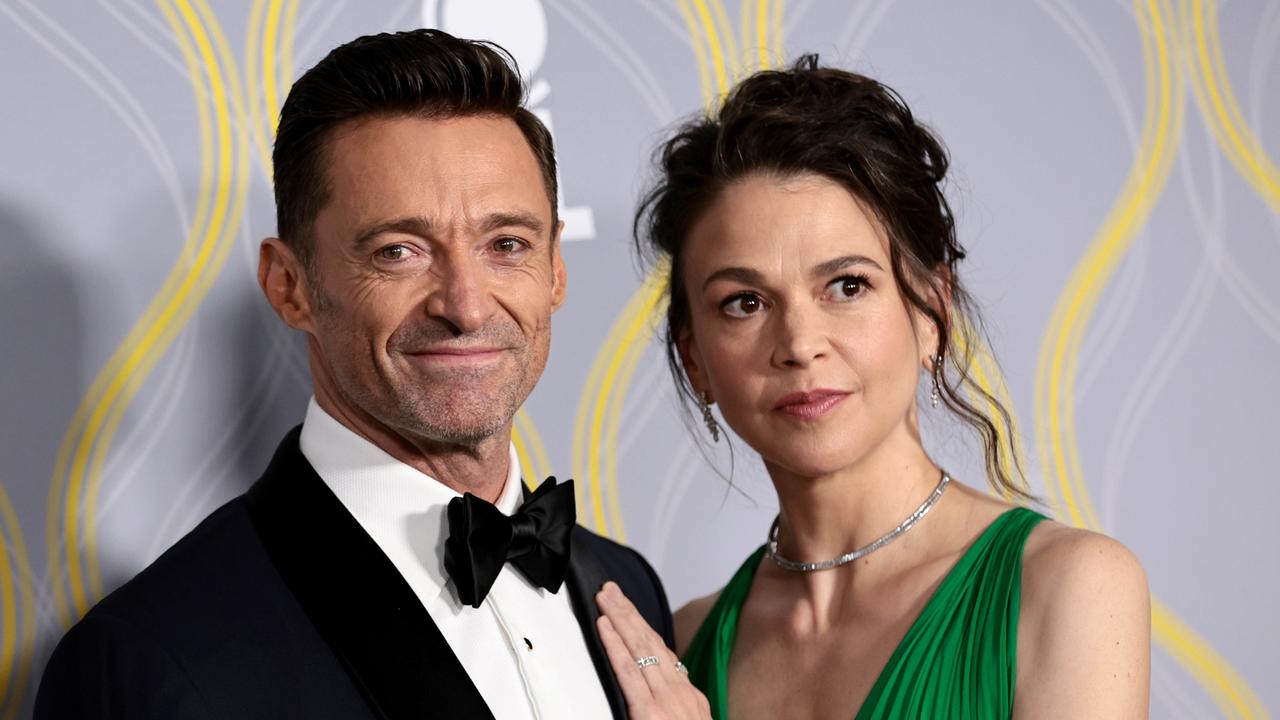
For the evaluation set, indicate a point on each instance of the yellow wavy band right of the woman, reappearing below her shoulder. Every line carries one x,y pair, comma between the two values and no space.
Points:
1060,350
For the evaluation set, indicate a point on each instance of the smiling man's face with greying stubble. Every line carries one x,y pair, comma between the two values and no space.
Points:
437,274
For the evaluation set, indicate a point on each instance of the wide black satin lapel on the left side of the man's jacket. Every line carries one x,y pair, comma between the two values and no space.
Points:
355,598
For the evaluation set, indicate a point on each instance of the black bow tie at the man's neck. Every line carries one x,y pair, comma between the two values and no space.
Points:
534,540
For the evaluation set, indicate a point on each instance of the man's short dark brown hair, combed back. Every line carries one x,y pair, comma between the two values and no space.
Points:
422,74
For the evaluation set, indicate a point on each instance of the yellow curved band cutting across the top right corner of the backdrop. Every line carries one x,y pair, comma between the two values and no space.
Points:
1220,108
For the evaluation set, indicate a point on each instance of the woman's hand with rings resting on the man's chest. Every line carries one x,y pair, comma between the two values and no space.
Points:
660,691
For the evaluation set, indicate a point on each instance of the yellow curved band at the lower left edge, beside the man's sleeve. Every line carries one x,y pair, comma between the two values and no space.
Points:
10,646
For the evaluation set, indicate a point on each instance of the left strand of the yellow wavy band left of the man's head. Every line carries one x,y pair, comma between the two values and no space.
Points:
61,480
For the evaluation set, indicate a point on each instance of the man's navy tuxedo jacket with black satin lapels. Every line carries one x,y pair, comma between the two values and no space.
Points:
280,605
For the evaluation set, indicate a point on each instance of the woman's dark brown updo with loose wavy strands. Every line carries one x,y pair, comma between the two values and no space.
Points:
860,134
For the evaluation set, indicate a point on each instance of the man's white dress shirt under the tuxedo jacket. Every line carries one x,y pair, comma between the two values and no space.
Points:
523,648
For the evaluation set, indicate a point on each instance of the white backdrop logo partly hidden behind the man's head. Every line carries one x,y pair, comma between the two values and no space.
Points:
520,26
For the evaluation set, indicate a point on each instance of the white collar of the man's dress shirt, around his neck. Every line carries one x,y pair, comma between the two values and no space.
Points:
401,508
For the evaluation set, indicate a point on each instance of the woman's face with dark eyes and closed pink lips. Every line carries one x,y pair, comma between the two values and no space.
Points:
798,329
